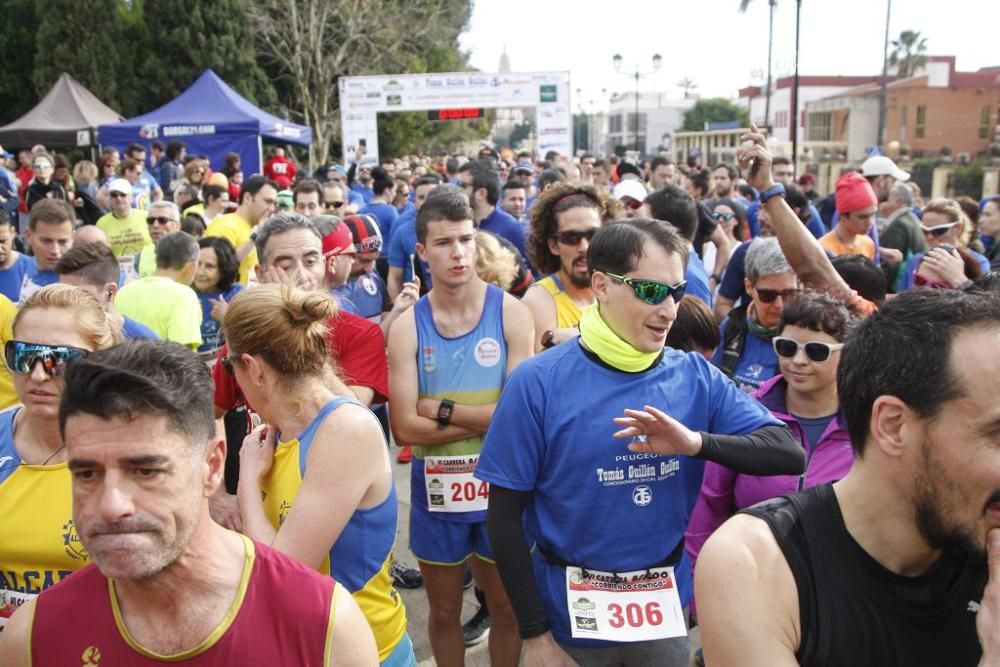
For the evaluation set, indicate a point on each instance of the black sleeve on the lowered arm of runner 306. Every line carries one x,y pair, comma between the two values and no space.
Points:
513,557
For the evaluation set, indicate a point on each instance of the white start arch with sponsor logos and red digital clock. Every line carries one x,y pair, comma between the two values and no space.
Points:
453,96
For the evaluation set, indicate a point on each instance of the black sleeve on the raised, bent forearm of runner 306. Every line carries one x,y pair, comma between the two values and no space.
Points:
770,450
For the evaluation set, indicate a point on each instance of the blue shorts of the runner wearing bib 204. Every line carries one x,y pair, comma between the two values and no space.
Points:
438,542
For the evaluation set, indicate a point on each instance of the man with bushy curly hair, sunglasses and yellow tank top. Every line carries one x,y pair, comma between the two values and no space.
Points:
563,221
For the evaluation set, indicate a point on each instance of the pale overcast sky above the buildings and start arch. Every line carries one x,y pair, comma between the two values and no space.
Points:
712,43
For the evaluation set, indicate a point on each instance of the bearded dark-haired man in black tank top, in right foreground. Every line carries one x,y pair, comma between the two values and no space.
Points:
889,565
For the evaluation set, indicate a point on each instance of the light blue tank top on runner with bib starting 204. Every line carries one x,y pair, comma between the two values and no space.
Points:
469,369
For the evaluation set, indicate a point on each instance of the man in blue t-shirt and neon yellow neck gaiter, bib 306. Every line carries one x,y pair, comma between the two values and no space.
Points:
606,583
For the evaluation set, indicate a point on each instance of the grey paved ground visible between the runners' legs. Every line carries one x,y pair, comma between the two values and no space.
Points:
416,600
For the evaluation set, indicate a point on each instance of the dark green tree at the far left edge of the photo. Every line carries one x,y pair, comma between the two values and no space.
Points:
17,55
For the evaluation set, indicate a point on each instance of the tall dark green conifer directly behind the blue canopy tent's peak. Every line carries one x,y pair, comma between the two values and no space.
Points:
190,36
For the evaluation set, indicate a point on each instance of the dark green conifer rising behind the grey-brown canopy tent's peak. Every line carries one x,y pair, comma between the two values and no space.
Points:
84,40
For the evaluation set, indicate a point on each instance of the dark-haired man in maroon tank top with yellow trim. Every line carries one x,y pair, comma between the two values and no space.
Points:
168,584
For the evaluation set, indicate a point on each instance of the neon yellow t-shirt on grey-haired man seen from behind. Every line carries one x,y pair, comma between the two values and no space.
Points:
170,309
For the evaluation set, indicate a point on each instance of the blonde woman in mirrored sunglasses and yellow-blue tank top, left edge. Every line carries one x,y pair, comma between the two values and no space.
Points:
39,544
